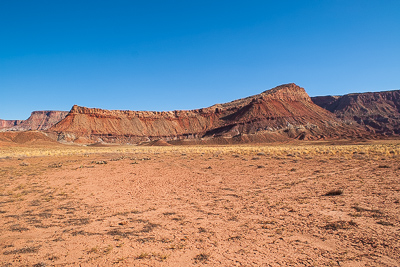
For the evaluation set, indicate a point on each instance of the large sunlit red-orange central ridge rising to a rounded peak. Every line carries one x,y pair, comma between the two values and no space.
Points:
282,112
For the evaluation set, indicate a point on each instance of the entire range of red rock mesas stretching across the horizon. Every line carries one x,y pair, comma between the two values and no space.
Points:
283,113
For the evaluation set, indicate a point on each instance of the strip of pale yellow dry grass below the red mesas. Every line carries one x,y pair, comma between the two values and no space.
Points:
377,149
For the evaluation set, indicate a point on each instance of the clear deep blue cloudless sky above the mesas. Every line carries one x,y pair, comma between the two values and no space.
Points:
166,55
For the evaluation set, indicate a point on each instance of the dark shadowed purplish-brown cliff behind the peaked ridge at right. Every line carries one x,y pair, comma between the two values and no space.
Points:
377,112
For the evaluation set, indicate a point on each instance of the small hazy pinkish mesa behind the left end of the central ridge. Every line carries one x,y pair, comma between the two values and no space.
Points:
39,120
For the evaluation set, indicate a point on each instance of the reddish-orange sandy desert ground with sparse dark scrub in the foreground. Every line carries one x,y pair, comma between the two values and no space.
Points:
218,207
